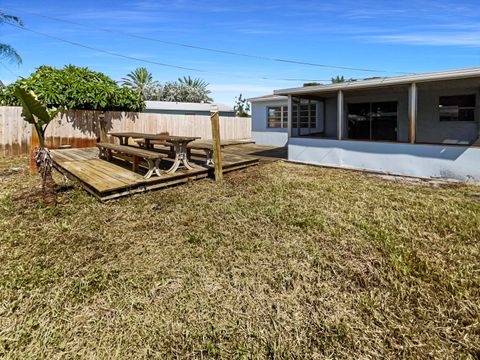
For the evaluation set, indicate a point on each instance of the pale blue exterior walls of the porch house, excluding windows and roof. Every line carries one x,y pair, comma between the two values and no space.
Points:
437,160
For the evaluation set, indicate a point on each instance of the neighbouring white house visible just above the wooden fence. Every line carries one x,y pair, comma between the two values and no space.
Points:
184,108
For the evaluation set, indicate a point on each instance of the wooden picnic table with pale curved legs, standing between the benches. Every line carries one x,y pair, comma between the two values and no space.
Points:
179,144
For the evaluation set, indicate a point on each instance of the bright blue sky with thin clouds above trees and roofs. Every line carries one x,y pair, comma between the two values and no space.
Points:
389,36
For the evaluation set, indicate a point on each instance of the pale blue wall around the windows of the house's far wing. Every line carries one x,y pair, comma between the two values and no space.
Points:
261,134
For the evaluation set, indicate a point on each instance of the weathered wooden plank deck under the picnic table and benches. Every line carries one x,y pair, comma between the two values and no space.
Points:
108,180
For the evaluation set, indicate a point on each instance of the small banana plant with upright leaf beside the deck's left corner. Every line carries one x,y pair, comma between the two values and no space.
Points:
37,114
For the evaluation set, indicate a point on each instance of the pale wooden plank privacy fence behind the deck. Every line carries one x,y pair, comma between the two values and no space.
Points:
81,128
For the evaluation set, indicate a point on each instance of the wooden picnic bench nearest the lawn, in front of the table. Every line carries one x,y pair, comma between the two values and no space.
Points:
133,154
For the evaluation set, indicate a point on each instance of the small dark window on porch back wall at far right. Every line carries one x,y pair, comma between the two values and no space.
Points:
457,108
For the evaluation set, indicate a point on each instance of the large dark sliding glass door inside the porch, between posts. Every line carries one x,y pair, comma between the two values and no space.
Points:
373,121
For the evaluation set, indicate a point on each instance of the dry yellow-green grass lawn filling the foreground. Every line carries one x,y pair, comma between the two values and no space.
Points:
278,261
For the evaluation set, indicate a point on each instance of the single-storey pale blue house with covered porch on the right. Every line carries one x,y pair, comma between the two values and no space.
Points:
424,125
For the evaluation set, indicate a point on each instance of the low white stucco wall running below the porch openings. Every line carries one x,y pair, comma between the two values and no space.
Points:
428,161
